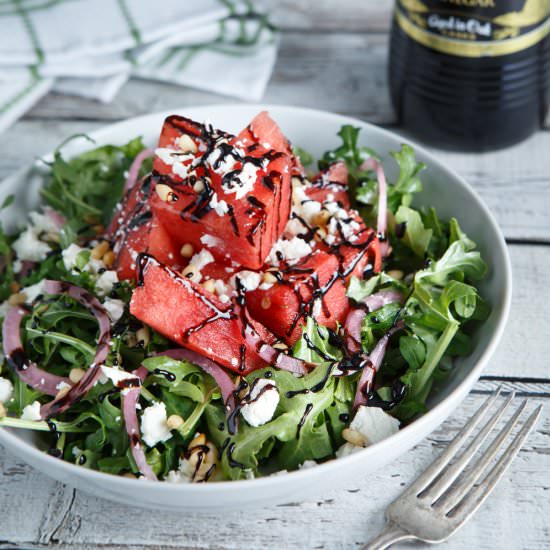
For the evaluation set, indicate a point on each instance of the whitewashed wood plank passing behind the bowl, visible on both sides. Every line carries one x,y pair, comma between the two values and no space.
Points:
515,183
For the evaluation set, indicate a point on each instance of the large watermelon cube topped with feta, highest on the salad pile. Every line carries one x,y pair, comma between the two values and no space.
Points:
231,197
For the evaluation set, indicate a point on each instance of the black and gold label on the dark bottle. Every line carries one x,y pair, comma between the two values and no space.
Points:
475,28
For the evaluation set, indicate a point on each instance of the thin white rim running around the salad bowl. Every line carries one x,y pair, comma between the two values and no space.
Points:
20,446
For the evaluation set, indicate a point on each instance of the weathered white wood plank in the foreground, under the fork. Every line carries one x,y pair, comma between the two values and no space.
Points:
513,517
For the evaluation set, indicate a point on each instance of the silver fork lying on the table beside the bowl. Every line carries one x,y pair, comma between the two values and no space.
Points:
447,494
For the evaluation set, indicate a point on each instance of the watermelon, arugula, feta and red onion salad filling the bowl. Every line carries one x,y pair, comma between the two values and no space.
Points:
222,307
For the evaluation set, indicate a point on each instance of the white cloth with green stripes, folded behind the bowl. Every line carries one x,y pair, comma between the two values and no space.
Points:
91,47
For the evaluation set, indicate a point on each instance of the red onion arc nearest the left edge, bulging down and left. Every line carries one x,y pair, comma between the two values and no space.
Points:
29,372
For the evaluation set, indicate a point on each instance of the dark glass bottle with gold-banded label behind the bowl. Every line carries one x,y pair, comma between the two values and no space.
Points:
470,74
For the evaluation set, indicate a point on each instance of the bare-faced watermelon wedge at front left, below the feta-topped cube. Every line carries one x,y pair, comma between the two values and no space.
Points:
187,314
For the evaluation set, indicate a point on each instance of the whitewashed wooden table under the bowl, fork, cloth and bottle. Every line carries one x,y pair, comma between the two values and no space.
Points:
333,56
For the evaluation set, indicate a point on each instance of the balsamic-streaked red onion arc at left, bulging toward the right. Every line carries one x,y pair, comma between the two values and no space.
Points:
80,389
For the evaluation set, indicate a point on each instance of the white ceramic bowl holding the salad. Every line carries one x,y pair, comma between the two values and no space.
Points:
316,132
